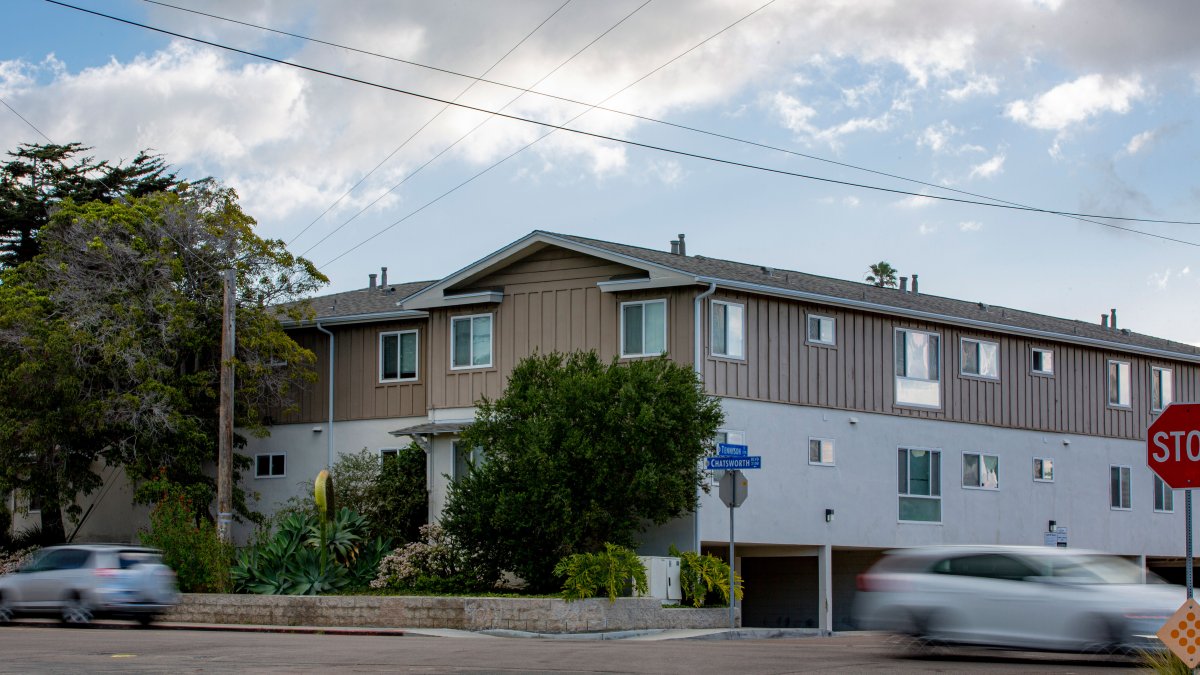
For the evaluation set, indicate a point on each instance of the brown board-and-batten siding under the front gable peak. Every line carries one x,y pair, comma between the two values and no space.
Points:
551,303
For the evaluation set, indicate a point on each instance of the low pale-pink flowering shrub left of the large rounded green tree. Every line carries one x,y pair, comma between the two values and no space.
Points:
435,564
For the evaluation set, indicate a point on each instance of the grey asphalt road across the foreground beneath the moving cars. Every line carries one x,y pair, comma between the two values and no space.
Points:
52,649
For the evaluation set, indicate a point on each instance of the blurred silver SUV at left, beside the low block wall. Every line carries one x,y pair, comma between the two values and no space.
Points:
79,583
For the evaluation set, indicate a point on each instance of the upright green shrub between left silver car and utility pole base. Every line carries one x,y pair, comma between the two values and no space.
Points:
189,543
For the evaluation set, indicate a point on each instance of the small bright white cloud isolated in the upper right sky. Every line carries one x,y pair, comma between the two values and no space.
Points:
1077,101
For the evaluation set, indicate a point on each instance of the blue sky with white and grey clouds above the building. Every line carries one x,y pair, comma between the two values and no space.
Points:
1087,107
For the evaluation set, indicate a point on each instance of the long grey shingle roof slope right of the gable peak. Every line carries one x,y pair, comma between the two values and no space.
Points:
861,292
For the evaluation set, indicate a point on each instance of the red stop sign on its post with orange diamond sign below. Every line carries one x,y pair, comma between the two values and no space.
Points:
1173,452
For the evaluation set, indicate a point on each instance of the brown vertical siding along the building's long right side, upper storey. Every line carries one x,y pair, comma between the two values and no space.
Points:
859,373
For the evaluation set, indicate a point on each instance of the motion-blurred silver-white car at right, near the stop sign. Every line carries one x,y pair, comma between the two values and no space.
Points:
1024,598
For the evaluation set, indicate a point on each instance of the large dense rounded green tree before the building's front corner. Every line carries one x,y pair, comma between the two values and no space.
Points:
577,455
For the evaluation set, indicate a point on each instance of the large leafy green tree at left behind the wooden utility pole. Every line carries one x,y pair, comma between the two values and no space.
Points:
110,342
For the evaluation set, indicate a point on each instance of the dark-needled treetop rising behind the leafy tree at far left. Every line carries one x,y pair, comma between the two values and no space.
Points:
40,177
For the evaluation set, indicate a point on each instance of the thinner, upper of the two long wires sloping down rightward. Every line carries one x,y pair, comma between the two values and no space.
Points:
626,114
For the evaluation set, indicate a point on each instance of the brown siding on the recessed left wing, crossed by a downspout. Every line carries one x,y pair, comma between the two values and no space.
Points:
358,393
